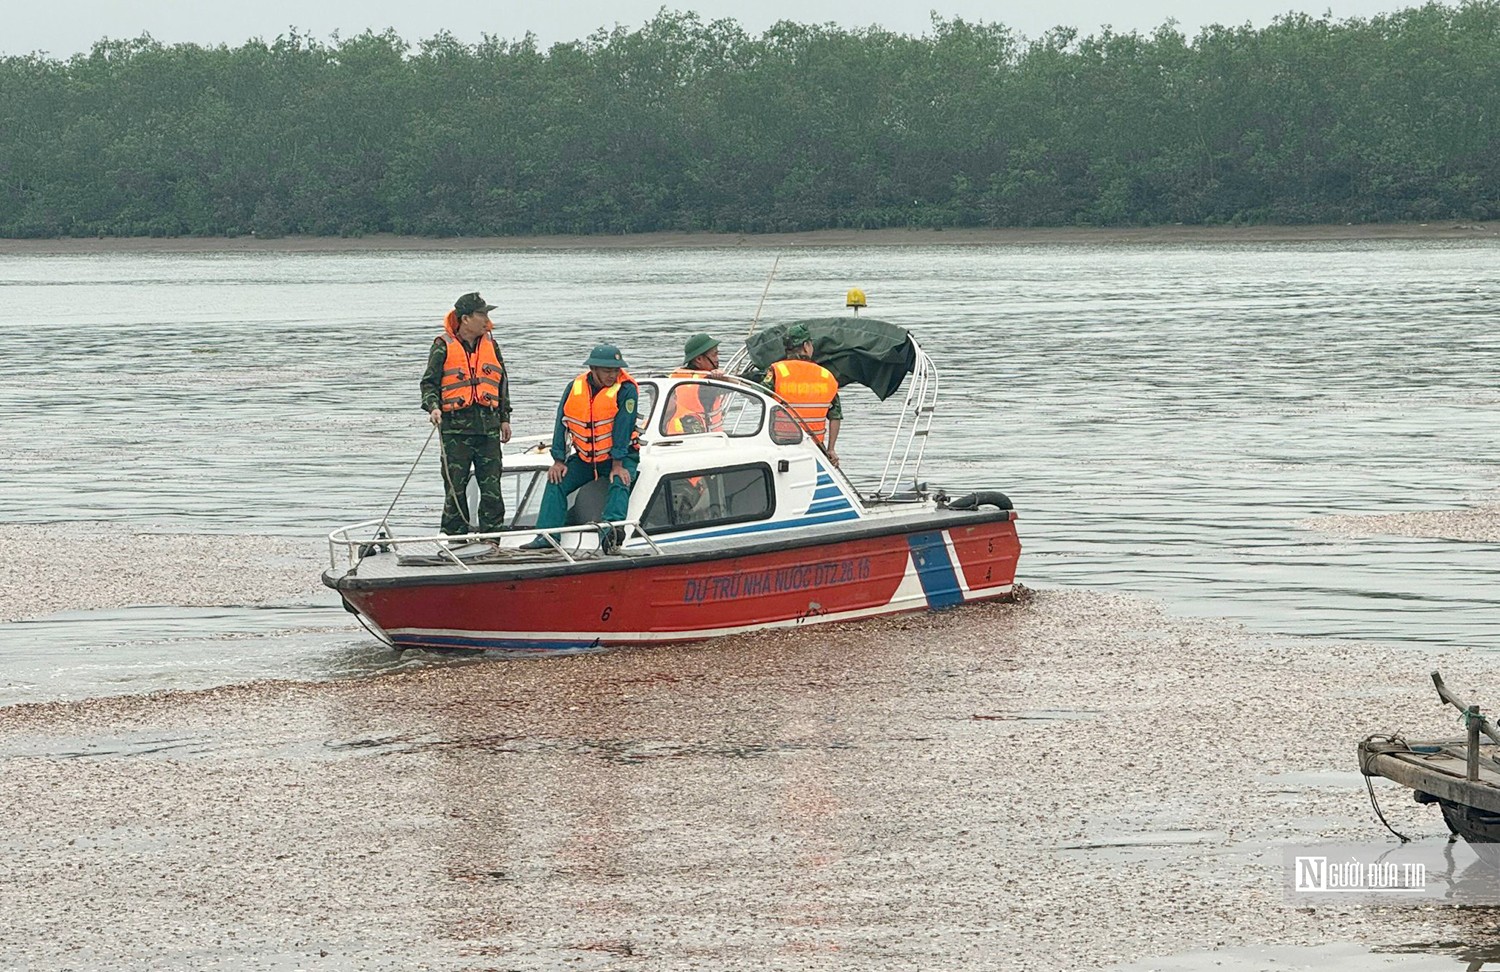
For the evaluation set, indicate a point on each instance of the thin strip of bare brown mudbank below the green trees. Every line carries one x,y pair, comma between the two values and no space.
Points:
1075,236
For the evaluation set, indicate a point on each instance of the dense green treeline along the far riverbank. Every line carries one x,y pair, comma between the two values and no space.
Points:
691,125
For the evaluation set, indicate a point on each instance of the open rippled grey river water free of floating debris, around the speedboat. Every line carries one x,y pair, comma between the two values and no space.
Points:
1166,418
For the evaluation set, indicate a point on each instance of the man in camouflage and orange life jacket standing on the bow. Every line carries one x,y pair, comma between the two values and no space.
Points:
467,395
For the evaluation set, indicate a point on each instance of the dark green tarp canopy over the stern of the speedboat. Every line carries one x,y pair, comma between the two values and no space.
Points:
856,350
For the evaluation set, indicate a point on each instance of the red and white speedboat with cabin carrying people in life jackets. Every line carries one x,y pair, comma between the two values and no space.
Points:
733,530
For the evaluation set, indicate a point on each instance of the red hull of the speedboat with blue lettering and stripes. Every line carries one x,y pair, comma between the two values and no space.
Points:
676,599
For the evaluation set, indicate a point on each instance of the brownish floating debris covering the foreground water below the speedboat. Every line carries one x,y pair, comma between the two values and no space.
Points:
1073,781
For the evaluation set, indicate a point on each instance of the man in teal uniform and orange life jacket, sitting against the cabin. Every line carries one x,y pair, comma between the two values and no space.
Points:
598,418
